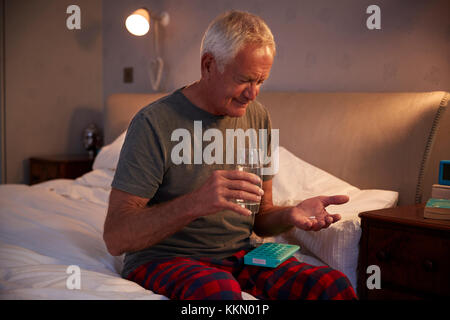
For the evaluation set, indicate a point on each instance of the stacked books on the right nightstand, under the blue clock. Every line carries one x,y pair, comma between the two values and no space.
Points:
438,207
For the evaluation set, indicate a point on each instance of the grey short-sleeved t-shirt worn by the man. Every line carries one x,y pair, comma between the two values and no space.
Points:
147,169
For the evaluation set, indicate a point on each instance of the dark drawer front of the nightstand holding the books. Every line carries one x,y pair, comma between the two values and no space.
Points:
414,259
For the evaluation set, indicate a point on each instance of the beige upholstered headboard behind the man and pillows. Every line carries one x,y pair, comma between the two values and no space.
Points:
390,141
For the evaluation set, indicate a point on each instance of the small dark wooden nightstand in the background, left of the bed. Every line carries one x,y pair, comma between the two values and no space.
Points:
59,167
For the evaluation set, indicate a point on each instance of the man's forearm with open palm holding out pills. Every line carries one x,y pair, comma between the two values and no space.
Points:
272,220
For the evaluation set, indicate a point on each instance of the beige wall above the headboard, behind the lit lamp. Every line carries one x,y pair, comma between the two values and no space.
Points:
323,45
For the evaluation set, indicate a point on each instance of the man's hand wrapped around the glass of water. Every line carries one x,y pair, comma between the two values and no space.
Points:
222,186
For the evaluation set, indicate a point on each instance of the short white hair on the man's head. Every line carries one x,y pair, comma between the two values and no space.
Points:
230,32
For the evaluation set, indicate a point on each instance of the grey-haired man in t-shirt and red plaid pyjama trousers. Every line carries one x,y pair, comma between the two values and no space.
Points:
183,235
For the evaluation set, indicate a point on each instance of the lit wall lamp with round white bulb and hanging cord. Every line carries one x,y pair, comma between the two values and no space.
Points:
138,24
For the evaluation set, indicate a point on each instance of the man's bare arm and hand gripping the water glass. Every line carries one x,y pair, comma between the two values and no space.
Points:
131,225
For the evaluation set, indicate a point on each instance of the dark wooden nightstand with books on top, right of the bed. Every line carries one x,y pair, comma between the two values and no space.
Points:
413,254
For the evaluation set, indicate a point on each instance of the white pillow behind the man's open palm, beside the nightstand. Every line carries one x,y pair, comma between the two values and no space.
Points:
338,245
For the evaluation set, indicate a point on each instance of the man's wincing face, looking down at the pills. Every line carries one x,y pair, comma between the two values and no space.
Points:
239,84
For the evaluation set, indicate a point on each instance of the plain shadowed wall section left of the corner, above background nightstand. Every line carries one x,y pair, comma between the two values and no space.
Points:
53,80
